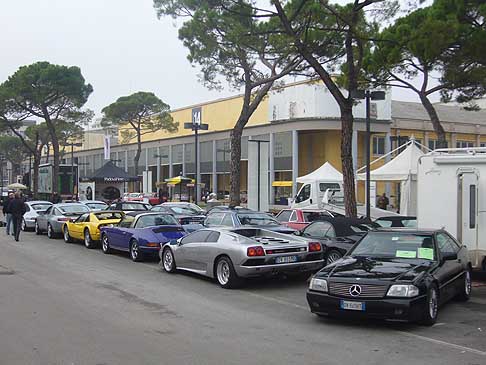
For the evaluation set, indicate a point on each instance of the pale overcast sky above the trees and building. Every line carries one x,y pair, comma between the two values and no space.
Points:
120,46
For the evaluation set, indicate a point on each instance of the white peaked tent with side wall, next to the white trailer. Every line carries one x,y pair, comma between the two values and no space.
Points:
402,168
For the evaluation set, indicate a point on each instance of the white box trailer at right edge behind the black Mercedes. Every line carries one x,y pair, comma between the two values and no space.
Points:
451,194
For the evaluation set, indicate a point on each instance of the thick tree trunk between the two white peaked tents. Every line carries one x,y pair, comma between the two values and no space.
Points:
347,120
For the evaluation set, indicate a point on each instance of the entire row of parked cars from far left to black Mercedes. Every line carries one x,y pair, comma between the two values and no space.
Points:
360,268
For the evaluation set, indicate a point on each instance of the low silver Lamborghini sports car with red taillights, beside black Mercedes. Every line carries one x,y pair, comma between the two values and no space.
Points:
231,254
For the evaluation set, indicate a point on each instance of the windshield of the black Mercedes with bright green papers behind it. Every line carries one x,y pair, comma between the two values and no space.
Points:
396,245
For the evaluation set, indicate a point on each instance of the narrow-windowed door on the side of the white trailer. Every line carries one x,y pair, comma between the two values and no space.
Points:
467,232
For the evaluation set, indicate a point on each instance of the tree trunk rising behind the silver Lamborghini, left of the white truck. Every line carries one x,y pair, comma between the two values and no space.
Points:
235,163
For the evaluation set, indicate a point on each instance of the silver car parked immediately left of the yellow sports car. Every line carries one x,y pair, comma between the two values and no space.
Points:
53,219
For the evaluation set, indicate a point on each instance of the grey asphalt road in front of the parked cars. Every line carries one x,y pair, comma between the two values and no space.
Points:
64,304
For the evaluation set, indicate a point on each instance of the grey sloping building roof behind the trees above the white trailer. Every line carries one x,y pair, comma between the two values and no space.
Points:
447,113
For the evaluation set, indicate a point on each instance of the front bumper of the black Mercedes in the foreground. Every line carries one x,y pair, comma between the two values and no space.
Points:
405,309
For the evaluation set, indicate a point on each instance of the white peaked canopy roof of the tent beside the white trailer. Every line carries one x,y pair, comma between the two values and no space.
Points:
400,168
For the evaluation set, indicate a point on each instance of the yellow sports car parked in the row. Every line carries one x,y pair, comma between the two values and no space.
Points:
87,226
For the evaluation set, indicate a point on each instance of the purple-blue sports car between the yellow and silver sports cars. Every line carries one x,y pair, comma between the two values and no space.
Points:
141,234
